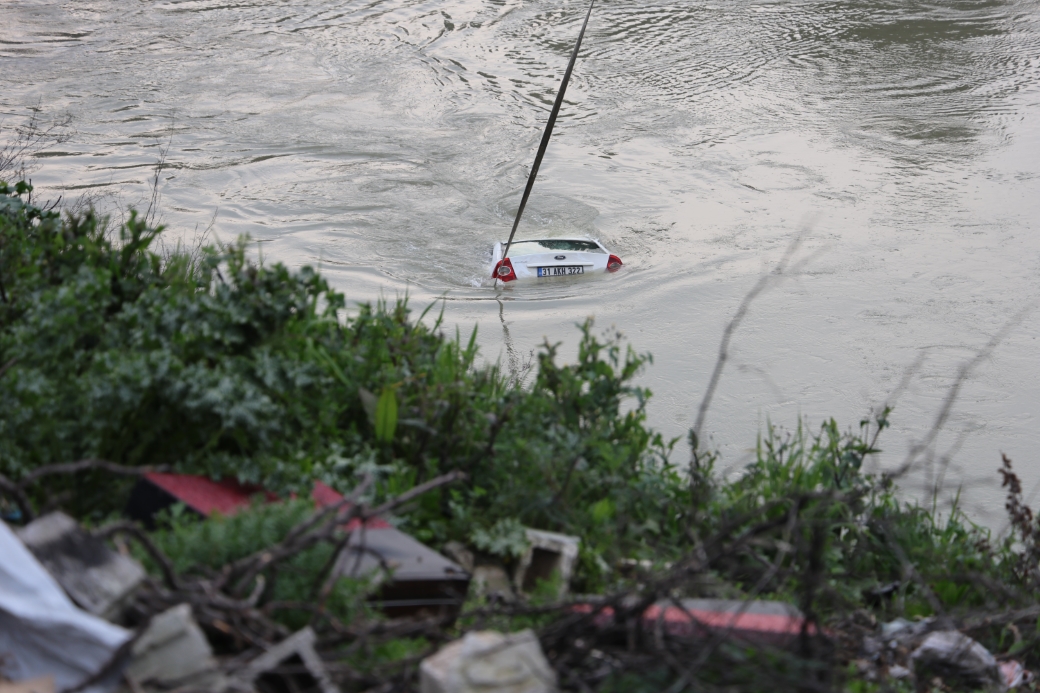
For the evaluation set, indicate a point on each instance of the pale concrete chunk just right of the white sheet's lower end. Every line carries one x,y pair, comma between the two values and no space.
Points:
173,652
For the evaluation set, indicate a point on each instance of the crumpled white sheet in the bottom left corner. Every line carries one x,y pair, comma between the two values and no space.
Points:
42,632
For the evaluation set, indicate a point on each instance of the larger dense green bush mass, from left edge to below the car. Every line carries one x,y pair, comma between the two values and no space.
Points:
230,369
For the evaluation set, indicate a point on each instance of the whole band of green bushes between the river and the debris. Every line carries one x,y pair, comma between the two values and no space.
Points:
221,366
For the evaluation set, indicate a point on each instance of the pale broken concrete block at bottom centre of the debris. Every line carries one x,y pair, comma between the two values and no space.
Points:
489,662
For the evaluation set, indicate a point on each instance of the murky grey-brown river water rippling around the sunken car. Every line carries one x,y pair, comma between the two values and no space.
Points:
389,141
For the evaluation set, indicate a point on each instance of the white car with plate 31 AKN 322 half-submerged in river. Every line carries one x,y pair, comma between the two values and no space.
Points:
552,258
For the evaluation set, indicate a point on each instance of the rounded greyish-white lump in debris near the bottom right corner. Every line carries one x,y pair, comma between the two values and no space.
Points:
958,660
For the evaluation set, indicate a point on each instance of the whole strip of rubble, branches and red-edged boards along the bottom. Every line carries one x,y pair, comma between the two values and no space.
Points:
80,613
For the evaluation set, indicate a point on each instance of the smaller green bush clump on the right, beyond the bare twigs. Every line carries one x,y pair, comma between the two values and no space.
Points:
870,537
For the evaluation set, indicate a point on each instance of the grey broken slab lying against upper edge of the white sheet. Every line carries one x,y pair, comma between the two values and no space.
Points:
97,579
